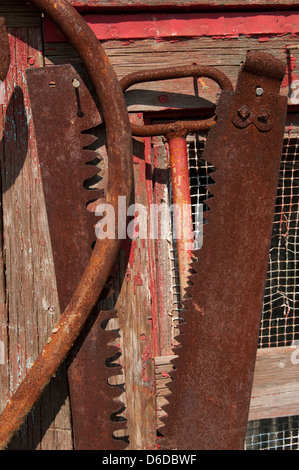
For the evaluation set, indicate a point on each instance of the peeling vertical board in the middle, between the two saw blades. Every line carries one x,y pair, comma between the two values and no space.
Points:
137,317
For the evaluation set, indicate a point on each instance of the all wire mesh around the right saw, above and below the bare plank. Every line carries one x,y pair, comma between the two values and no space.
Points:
280,314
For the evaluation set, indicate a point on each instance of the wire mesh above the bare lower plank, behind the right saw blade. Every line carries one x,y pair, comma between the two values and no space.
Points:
280,315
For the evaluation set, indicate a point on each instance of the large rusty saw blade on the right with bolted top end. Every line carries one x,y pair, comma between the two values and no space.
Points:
212,378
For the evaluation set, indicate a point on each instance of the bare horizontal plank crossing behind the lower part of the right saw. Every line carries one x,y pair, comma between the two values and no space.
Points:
275,389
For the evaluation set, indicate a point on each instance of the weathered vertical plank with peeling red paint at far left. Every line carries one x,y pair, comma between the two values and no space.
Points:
31,298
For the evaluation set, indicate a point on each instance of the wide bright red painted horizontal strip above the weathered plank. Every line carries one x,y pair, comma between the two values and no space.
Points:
164,25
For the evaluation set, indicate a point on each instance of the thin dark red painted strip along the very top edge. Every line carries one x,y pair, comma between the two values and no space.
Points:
183,4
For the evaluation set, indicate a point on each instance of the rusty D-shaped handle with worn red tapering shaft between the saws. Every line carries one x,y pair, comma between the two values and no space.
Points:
176,133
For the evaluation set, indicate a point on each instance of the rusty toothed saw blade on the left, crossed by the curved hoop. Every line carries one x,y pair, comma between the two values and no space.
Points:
63,106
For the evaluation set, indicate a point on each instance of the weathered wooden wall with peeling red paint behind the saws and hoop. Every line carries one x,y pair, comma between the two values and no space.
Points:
29,305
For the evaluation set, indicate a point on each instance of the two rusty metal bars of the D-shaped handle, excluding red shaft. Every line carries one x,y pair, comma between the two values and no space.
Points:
179,128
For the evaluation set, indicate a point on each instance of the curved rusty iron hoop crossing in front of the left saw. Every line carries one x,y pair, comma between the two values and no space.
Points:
118,130
